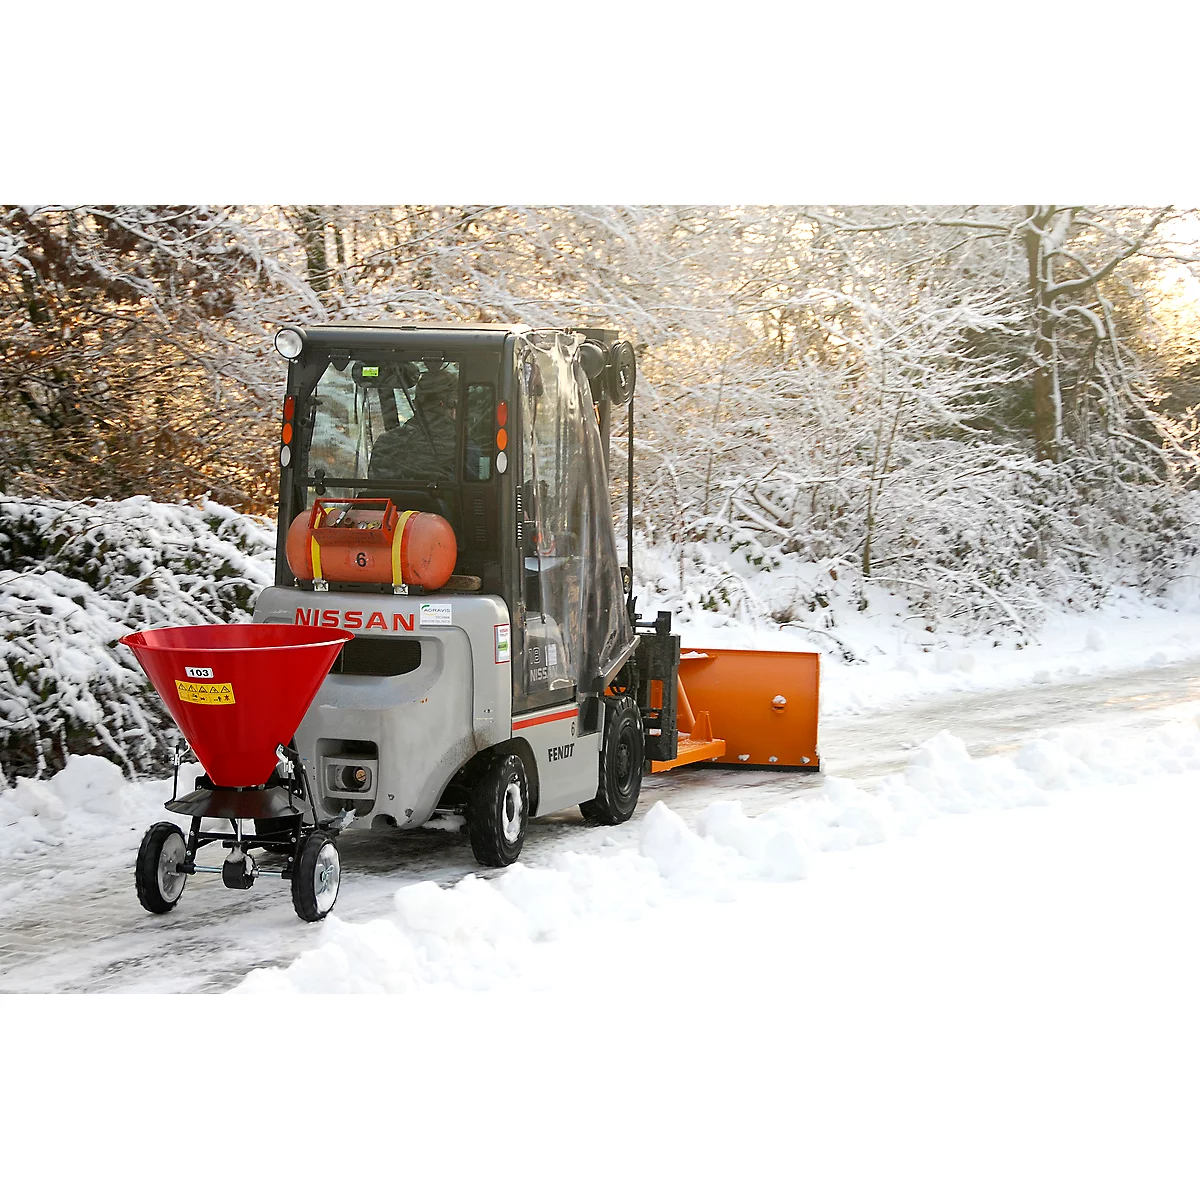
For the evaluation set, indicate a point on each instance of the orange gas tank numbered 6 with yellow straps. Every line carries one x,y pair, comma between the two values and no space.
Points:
370,542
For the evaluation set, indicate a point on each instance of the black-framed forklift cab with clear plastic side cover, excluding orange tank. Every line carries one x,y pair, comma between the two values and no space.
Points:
503,431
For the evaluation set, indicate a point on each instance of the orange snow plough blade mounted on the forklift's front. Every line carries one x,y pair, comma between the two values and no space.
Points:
749,709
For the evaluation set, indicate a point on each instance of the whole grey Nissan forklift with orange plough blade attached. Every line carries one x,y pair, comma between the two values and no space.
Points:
445,497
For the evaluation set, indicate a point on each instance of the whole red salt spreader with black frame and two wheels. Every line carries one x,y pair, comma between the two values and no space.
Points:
238,694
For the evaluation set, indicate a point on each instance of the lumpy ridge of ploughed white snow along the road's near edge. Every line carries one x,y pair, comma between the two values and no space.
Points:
481,933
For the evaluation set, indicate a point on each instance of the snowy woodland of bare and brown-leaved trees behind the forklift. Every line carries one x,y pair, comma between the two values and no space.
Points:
982,411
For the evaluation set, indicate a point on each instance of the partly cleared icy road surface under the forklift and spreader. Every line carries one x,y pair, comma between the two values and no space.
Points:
70,921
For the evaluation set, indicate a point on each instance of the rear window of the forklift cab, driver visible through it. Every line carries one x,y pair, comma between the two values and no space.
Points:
392,421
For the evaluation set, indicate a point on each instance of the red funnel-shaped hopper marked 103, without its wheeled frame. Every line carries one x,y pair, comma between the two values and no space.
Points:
237,692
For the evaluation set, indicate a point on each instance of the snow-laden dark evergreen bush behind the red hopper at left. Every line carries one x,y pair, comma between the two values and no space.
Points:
74,579
